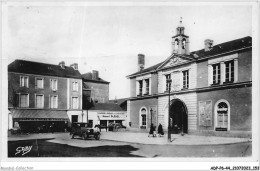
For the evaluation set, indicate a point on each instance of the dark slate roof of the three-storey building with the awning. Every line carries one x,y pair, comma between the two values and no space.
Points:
37,68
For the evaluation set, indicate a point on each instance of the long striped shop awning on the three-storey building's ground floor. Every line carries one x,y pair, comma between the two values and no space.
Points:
39,115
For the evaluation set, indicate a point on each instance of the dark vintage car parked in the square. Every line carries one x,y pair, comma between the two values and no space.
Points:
84,130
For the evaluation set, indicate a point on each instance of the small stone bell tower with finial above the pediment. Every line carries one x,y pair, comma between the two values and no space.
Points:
180,42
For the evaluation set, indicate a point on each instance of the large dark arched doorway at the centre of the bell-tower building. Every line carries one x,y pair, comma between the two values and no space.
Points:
178,117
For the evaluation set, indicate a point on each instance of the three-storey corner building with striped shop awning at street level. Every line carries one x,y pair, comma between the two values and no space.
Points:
41,94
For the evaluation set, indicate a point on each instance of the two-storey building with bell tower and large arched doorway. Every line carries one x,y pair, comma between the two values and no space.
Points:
190,92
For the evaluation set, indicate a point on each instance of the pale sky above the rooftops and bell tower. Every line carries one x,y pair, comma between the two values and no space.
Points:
109,38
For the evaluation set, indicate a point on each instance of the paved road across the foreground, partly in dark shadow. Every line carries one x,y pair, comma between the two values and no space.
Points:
63,146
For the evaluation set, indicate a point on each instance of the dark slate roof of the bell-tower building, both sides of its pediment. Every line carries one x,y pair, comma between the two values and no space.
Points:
217,49
